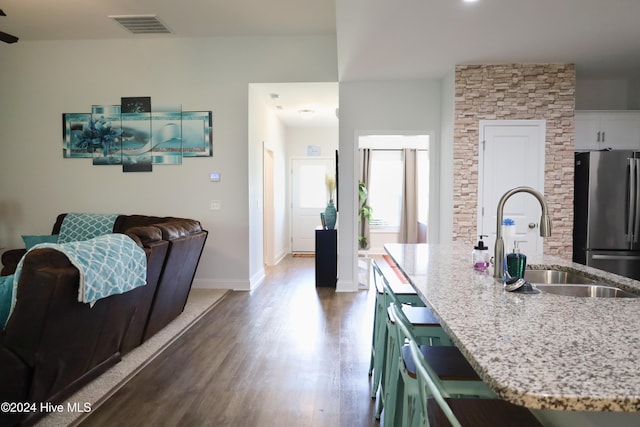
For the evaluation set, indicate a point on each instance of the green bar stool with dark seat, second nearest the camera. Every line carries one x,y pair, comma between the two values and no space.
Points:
447,364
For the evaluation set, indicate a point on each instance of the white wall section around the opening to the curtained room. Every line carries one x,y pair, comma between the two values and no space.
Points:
379,106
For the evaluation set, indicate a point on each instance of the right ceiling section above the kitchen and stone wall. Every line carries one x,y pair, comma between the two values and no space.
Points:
380,39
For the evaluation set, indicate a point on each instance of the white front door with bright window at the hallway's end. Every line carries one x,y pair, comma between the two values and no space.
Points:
309,199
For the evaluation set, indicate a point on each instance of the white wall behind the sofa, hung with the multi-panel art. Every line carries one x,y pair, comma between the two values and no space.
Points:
42,80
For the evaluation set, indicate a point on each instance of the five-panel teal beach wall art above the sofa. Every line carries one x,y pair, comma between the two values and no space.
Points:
135,136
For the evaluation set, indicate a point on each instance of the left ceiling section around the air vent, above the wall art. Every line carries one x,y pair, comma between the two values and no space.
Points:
88,19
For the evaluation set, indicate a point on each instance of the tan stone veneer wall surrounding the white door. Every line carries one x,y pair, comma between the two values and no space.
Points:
516,92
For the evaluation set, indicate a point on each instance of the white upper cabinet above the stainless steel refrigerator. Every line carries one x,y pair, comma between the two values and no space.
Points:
599,130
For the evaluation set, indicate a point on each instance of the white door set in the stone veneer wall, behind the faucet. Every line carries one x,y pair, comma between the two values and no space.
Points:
511,154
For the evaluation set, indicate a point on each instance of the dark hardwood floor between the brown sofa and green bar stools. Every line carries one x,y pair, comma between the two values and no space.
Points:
285,354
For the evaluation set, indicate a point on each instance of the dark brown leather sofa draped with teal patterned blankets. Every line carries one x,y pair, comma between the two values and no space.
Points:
52,345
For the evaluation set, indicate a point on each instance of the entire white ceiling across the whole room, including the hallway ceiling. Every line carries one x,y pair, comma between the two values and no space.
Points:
376,39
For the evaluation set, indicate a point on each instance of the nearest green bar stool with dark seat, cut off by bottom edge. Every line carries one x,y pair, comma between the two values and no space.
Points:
436,405
